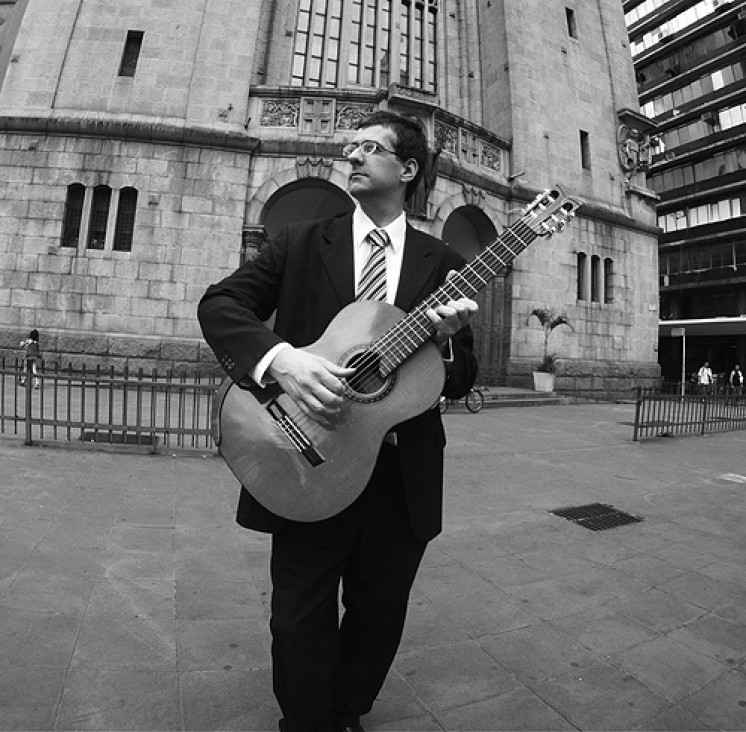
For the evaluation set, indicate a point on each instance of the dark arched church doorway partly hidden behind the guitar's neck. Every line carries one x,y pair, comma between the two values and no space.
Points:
468,230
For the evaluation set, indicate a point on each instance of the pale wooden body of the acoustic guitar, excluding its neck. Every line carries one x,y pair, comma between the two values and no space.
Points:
304,471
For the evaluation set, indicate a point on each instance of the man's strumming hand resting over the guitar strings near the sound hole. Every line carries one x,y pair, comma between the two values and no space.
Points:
314,383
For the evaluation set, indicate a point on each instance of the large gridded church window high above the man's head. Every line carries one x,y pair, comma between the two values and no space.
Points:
354,43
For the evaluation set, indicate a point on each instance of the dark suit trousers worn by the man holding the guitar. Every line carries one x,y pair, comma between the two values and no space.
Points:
327,673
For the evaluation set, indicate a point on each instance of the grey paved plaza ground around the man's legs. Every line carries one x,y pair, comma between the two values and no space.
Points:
129,599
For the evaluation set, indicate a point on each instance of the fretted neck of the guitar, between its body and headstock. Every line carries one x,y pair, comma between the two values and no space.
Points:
412,331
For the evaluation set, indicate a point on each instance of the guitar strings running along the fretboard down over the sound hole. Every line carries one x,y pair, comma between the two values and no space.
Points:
398,340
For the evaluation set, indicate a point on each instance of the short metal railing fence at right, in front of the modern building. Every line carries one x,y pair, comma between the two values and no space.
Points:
666,411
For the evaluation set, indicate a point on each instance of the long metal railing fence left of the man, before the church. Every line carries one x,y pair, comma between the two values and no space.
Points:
101,405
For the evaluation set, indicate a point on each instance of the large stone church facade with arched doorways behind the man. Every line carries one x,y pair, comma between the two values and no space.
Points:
147,148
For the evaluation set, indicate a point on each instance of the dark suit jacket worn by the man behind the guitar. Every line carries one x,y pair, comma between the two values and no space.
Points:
306,276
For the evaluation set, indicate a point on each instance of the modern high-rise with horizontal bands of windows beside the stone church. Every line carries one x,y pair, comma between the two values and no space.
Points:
690,64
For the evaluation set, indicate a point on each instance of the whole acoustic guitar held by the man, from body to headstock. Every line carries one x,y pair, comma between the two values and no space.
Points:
304,471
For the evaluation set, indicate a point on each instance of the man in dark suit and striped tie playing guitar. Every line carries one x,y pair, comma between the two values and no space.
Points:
327,673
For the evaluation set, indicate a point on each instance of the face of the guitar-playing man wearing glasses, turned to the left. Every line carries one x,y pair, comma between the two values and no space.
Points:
381,172
